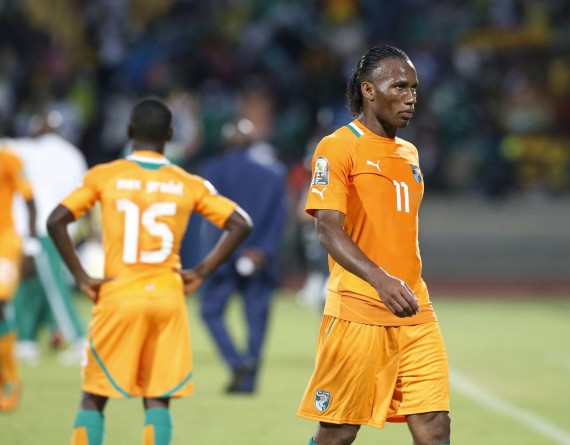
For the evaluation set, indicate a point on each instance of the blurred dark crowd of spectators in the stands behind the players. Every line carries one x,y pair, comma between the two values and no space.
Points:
494,98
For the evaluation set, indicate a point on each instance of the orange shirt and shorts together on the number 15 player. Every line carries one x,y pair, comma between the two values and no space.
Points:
139,338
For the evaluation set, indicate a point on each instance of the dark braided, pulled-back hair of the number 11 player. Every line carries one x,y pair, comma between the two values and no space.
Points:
364,68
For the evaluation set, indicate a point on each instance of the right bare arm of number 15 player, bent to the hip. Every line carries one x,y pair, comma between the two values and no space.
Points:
236,230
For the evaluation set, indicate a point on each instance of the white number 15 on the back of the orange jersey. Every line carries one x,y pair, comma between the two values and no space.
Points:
148,220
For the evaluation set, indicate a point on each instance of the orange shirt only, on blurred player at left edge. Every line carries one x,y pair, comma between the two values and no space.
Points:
12,181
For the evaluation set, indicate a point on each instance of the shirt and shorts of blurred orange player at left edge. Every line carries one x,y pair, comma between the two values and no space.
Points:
12,181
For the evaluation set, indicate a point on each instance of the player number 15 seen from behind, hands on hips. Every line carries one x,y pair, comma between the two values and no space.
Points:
139,339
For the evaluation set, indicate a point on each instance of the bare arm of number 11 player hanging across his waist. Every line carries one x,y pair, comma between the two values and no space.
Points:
395,293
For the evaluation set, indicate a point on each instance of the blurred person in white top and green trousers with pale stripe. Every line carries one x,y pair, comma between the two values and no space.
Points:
54,167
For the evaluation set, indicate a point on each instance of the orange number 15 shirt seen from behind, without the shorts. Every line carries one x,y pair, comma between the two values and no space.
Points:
144,218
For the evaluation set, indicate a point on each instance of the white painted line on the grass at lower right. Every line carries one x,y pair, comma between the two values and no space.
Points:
469,388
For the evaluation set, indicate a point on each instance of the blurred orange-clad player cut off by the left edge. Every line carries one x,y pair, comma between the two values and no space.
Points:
12,181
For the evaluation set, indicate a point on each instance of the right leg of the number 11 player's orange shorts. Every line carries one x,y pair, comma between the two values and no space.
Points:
423,376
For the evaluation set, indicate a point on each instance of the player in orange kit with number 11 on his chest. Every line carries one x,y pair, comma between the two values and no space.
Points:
380,353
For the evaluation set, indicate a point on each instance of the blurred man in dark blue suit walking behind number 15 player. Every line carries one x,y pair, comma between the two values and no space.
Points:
248,173
